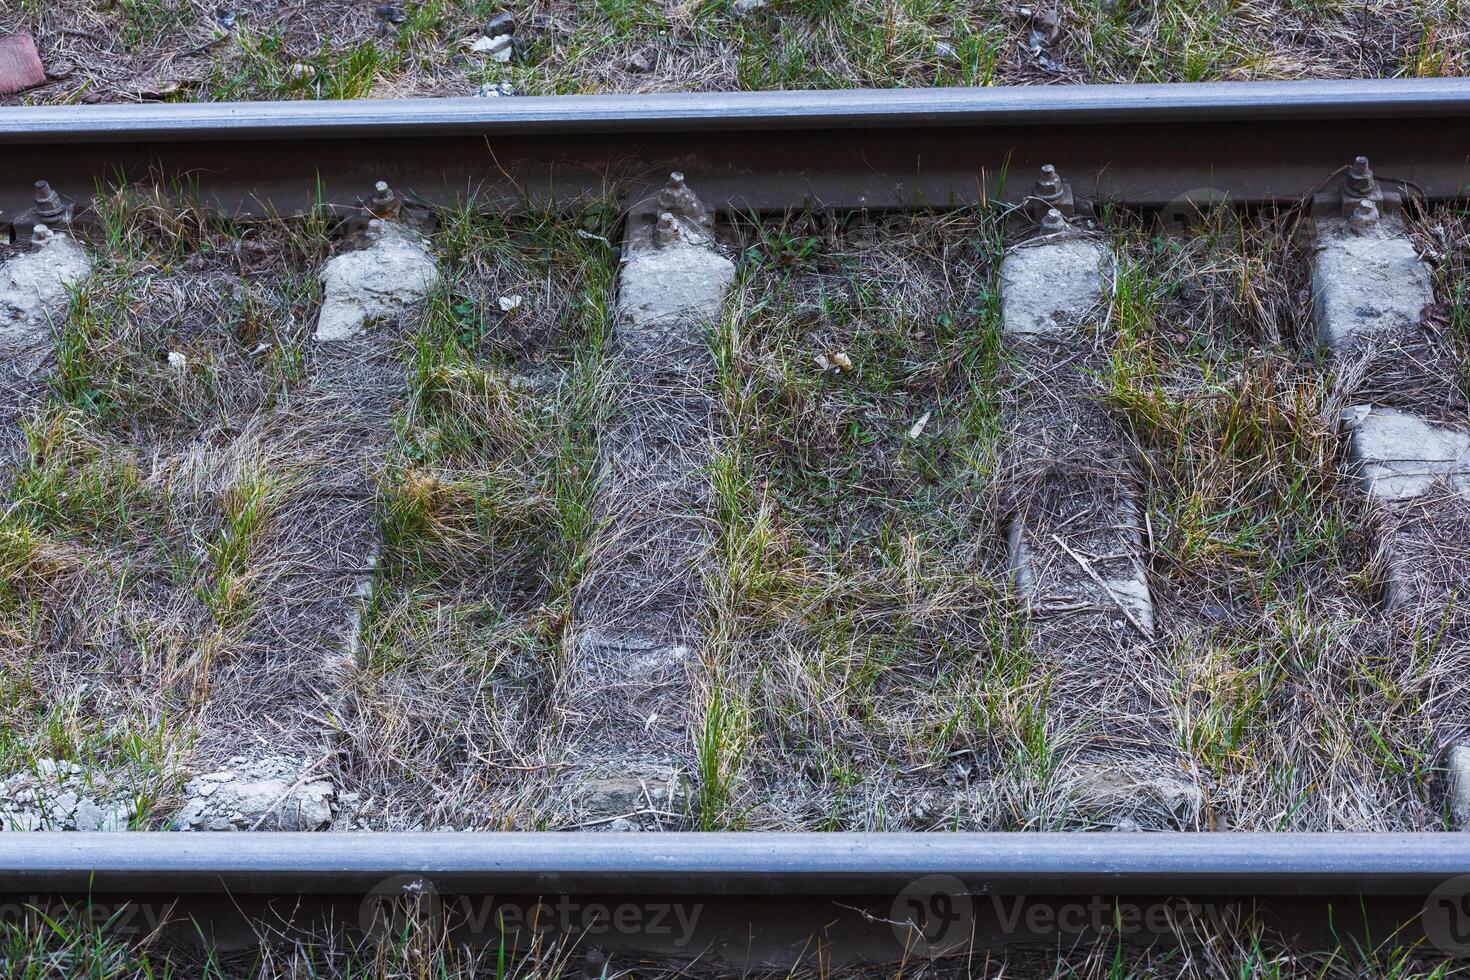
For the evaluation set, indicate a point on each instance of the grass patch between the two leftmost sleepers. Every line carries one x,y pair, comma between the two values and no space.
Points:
143,509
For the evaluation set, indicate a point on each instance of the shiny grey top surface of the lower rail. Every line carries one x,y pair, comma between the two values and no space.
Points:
743,863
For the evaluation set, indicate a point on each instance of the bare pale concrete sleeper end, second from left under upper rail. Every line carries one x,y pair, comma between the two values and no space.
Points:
374,284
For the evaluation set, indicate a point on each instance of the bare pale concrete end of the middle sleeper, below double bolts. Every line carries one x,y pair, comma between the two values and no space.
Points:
680,281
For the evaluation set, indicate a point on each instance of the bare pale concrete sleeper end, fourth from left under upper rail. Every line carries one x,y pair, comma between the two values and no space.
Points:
1046,289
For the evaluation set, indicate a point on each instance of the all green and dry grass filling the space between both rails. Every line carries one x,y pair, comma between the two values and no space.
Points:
183,547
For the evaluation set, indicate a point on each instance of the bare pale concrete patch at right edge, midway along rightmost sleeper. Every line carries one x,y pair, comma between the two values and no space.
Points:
1400,456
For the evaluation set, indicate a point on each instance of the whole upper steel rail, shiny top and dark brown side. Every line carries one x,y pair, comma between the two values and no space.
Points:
1149,146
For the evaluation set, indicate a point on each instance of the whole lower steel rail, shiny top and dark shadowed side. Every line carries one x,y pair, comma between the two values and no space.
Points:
759,900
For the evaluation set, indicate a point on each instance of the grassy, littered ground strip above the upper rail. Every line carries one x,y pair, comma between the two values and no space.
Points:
193,51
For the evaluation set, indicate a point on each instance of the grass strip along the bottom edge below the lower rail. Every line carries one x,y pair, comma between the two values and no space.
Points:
71,945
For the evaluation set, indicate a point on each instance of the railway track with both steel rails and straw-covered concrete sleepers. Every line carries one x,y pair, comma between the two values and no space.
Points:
1355,162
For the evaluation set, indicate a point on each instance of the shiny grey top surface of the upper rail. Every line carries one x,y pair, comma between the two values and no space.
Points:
705,112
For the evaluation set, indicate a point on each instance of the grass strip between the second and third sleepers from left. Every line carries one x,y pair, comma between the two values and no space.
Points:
487,518
